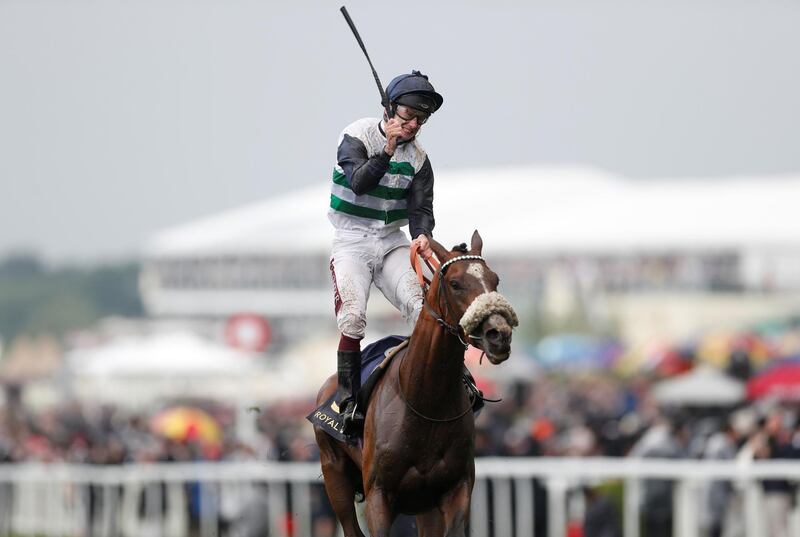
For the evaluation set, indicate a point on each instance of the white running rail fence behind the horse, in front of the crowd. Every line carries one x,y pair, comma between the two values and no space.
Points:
213,499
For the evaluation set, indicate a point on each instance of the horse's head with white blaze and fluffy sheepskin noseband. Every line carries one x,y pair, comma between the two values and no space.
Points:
464,291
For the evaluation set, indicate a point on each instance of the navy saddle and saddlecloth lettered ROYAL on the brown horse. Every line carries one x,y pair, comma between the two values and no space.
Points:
375,360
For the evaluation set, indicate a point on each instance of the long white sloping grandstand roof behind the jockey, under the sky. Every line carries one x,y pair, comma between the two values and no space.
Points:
528,210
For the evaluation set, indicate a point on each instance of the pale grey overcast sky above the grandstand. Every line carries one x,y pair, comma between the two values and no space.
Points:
122,118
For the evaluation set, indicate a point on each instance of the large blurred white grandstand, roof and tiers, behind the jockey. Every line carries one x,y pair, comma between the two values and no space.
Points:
705,241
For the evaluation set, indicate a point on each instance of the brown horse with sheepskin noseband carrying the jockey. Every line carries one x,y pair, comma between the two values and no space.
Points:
418,438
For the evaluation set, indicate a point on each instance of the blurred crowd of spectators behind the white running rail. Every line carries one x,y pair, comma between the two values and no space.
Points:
591,414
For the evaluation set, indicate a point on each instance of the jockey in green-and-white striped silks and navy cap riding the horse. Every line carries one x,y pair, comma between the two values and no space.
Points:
382,181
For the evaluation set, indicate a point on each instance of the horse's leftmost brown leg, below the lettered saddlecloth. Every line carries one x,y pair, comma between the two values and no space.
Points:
338,470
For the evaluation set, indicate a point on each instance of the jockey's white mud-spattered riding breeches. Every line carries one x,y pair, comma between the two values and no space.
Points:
360,259
